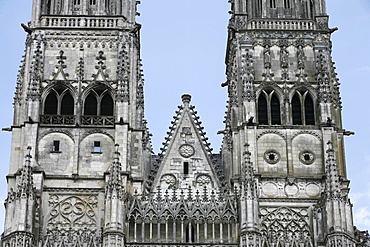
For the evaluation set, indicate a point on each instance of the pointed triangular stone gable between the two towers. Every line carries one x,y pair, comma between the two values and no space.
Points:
186,159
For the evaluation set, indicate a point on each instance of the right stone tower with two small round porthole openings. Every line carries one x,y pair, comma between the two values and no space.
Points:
284,106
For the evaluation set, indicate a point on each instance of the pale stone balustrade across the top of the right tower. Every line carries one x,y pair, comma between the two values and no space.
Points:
282,24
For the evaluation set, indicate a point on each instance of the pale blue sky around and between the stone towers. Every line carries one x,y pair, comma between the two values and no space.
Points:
183,50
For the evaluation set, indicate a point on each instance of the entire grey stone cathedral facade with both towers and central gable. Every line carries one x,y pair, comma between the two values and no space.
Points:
82,171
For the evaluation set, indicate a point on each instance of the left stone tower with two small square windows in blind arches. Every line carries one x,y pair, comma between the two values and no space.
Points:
78,120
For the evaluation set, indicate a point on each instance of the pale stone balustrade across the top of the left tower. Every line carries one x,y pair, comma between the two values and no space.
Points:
82,22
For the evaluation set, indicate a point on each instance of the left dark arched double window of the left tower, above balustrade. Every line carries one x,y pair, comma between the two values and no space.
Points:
59,102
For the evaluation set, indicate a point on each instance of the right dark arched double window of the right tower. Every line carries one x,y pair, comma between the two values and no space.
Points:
303,110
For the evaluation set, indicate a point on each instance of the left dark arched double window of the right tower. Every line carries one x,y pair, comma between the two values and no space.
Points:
269,108
